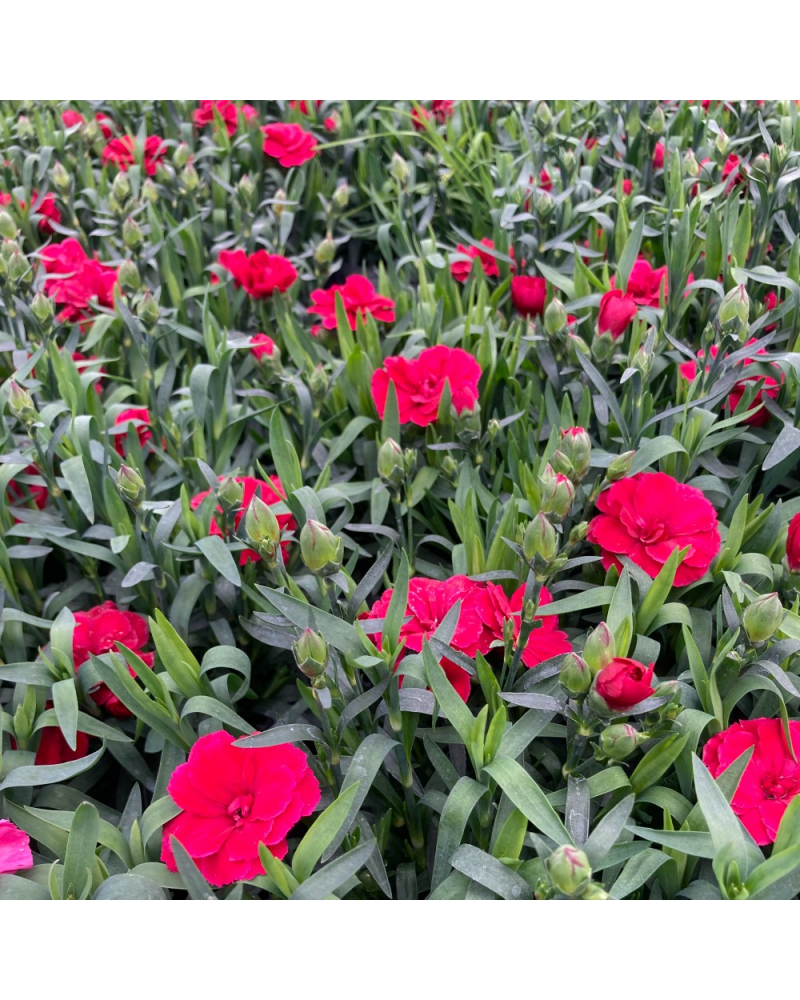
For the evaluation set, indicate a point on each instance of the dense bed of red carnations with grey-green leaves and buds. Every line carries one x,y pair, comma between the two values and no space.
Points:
399,500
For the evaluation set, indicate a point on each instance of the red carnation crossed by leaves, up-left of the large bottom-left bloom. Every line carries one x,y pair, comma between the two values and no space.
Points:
96,632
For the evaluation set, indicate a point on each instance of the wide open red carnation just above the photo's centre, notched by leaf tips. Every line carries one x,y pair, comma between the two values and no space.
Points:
419,383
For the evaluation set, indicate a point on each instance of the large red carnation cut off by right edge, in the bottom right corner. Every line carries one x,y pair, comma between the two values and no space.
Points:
771,779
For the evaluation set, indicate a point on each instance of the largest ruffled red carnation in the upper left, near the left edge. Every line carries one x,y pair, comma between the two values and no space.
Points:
77,281
